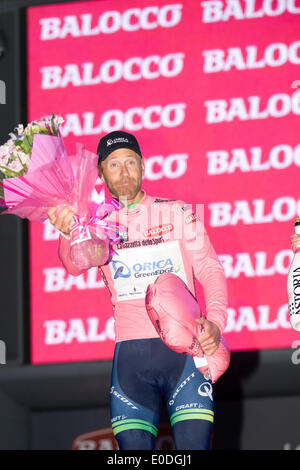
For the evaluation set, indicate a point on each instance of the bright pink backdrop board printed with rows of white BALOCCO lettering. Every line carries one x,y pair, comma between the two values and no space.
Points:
210,89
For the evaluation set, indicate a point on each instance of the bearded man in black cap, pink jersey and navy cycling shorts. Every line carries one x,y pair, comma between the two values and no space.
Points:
161,237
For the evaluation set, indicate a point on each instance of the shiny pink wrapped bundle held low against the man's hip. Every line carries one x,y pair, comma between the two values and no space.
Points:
173,309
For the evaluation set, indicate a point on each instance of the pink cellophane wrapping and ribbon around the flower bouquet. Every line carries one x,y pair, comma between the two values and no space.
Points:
56,179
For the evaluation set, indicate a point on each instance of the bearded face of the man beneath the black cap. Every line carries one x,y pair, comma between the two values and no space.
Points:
122,171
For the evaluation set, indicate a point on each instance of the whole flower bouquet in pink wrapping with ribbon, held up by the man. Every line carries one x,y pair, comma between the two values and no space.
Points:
36,173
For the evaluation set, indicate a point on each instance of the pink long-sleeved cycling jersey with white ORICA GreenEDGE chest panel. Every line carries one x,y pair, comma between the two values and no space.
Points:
162,235
